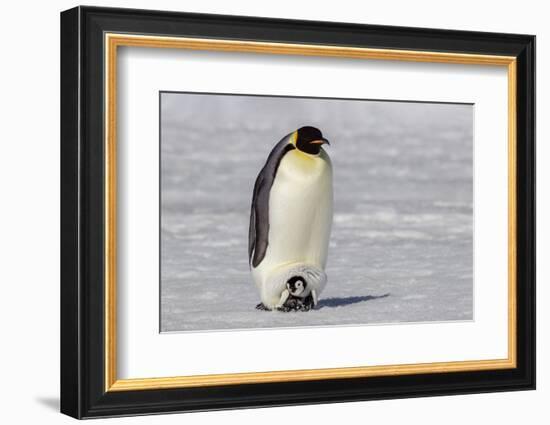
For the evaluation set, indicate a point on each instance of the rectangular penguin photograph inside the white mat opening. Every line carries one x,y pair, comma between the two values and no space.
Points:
280,212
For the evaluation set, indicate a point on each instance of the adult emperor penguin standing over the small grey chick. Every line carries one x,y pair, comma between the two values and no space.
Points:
291,217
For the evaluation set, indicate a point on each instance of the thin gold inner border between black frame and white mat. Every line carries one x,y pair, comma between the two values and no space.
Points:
113,41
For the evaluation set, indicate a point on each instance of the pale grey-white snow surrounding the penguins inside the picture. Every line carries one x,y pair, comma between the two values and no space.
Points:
401,248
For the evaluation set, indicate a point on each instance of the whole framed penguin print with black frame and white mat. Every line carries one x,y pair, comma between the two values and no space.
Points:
261,212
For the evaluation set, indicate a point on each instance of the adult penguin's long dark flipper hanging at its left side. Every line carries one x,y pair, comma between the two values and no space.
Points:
259,211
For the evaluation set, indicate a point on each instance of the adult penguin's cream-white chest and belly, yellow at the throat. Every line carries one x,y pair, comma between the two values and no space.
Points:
300,210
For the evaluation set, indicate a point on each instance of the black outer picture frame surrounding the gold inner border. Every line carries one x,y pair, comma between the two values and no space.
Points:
83,392
